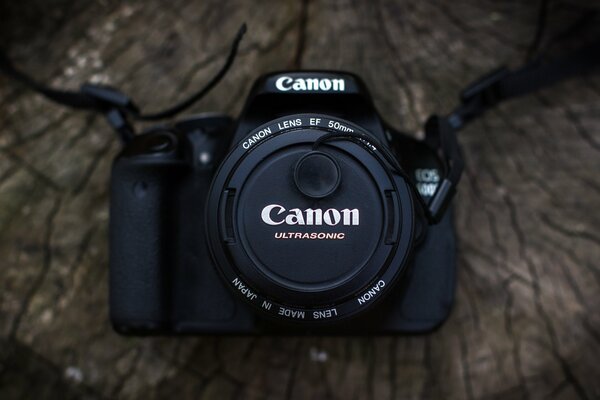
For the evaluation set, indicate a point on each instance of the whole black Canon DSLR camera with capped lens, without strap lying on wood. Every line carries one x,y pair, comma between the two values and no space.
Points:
289,220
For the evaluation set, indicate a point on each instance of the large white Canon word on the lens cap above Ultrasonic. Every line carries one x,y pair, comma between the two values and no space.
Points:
272,215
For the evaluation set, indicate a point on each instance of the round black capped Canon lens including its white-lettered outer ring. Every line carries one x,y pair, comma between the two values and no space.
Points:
308,234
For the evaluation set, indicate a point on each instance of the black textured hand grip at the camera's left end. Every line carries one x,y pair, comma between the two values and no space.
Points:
141,233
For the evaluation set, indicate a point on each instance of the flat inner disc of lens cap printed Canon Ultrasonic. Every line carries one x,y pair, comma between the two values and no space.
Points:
301,243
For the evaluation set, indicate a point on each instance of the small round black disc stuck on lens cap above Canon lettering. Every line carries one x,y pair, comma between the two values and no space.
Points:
317,174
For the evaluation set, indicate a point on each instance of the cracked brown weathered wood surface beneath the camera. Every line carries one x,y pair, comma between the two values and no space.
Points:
526,322
